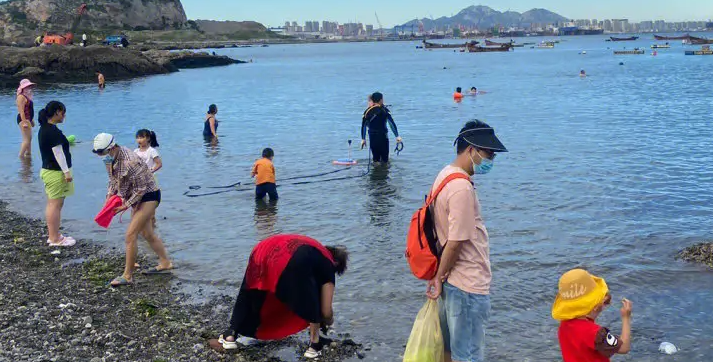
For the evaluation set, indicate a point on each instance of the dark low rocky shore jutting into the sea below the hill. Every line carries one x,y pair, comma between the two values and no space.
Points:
73,64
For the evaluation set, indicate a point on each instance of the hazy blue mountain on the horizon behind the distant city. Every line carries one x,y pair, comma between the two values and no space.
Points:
484,17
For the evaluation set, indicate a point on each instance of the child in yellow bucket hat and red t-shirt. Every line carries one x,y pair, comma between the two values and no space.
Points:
581,299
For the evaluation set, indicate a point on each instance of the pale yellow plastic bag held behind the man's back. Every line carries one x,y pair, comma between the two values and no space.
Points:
426,342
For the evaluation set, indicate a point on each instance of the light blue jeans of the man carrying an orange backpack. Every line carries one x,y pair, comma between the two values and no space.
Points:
463,316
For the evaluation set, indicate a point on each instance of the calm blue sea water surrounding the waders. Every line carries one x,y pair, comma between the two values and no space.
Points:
613,173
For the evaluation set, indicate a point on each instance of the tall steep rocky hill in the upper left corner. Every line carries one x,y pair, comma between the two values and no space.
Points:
19,18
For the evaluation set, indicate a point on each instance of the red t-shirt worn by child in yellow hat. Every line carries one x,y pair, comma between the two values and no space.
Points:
582,340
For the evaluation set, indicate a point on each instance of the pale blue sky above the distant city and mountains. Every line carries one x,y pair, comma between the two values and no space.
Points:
396,12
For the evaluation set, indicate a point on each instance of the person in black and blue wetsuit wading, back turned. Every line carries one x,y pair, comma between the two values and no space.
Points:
375,119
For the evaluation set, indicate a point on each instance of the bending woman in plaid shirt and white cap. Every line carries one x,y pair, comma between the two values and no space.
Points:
130,179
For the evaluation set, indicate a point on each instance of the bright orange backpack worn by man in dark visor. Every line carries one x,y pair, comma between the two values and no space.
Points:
422,240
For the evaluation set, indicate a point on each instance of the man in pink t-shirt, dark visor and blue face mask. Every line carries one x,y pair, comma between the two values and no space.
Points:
463,278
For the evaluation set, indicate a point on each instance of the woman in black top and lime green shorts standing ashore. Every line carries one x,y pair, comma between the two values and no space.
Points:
56,170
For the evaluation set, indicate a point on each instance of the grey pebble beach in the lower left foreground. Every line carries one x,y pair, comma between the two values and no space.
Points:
58,307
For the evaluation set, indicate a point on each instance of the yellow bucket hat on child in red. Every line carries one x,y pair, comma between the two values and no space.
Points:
579,293
